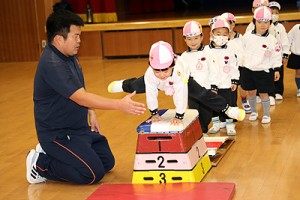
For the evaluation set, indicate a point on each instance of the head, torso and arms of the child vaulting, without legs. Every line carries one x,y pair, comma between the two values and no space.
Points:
163,74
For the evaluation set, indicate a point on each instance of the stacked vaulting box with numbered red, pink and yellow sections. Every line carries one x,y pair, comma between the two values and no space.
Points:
176,165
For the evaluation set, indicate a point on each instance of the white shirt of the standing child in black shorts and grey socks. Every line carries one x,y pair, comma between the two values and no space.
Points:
260,52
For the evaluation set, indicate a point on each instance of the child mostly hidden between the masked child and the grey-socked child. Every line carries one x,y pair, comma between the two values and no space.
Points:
235,42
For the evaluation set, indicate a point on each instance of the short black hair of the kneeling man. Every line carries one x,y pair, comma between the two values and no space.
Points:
59,22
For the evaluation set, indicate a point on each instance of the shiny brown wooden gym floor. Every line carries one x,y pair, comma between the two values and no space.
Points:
264,162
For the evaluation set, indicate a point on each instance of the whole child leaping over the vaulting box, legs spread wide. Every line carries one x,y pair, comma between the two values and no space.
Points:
168,72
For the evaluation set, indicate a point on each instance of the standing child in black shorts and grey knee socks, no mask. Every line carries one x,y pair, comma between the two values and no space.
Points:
261,61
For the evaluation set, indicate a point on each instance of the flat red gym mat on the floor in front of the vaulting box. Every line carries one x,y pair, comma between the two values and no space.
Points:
175,191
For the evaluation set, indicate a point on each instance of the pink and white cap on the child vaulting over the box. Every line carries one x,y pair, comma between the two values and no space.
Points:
161,55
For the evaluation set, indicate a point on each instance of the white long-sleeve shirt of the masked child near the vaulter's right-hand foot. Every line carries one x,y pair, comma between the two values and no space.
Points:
223,62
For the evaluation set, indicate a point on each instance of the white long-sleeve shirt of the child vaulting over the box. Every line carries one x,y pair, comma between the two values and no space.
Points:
175,85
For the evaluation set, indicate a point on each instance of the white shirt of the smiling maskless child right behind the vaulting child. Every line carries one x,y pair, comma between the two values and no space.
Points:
198,66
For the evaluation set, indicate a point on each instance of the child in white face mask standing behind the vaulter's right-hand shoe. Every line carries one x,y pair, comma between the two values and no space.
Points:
225,76
